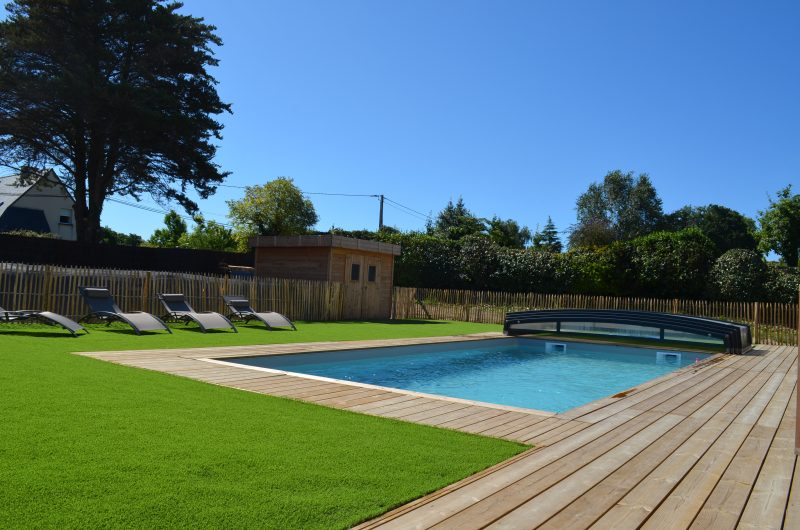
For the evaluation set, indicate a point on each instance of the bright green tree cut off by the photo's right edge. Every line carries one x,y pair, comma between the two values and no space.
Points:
780,226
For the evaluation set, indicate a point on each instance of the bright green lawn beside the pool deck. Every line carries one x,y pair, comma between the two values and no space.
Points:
87,443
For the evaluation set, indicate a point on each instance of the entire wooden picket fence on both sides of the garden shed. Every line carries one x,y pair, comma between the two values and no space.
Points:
55,288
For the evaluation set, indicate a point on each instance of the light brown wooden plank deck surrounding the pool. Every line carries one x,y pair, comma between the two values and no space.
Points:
710,446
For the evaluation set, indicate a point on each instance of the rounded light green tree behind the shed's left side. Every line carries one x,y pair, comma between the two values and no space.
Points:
278,208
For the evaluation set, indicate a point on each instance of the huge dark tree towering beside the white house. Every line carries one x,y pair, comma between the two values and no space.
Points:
115,94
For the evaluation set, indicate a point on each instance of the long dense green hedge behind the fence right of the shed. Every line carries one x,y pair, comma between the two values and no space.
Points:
661,264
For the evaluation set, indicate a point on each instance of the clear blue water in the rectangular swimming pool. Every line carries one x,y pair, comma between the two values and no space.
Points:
516,372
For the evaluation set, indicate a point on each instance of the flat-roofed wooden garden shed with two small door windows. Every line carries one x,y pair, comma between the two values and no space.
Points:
365,268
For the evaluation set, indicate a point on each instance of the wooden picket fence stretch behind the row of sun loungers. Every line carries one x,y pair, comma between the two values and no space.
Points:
54,288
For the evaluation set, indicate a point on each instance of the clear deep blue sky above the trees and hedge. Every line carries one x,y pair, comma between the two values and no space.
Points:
515,105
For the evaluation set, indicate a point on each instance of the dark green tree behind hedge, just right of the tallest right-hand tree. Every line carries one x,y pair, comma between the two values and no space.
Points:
726,228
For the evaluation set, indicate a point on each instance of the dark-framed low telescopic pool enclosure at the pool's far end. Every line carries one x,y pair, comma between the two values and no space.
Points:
639,324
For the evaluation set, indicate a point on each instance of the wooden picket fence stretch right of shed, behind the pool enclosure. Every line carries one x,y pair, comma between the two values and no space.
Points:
770,323
